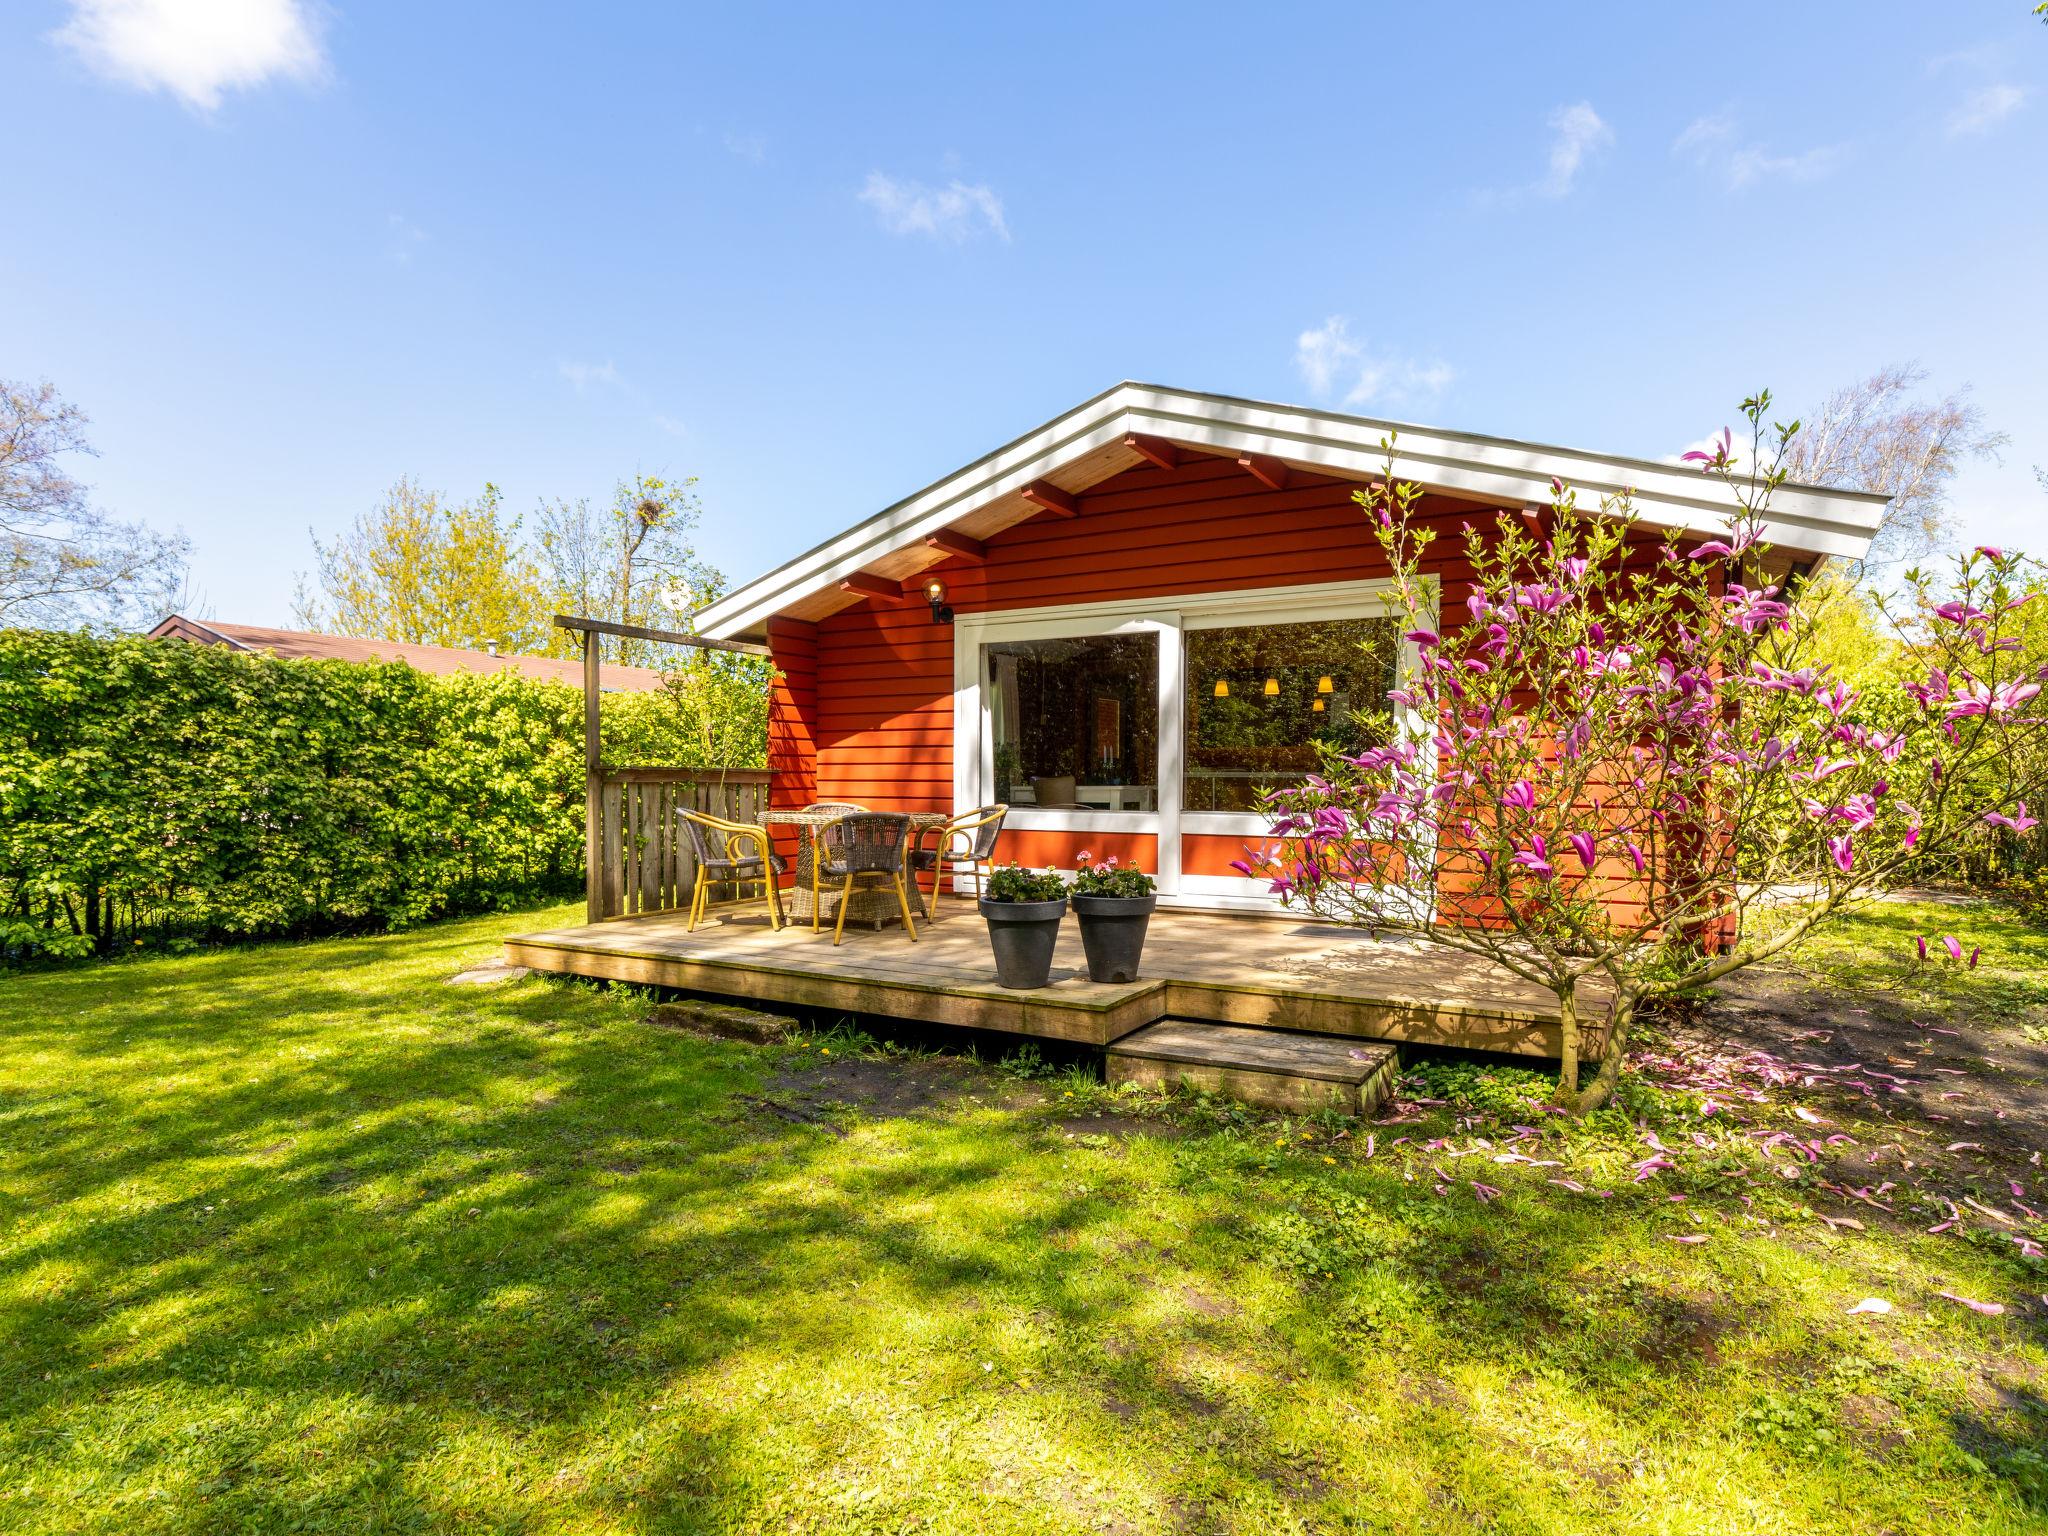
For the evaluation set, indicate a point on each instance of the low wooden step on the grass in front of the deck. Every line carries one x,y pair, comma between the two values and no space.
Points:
1275,1070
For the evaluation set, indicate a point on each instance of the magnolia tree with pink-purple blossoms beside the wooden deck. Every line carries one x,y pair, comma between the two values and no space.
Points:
1617,753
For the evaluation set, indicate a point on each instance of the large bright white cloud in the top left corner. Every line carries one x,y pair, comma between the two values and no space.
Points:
198,50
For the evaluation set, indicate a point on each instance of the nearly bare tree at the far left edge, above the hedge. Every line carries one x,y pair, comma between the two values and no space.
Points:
62,560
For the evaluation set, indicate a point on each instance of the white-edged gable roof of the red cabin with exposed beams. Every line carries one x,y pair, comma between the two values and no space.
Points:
1093,441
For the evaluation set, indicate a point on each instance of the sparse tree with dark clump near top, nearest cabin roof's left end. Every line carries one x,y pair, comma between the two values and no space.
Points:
630,564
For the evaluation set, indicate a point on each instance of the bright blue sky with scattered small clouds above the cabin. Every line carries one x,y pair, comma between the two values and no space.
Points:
820,257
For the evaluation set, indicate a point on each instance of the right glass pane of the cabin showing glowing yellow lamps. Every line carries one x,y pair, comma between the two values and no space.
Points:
1263,697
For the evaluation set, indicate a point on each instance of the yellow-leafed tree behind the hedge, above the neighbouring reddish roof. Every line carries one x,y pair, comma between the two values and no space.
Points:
429,572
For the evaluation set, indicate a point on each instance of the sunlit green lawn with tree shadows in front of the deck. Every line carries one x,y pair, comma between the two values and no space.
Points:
300,1238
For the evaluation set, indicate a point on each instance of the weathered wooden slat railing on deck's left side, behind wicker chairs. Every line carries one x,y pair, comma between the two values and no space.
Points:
640,853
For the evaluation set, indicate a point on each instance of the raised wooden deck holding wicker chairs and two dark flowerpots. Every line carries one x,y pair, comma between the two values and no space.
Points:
1261,972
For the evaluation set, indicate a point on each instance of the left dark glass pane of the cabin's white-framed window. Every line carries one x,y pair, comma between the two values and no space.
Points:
1076,722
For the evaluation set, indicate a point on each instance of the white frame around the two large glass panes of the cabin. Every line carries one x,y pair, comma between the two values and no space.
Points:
974,749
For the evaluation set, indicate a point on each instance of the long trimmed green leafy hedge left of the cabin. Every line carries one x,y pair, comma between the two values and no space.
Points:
157,792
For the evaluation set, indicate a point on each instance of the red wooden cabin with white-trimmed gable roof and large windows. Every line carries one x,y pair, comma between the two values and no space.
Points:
1150,607
